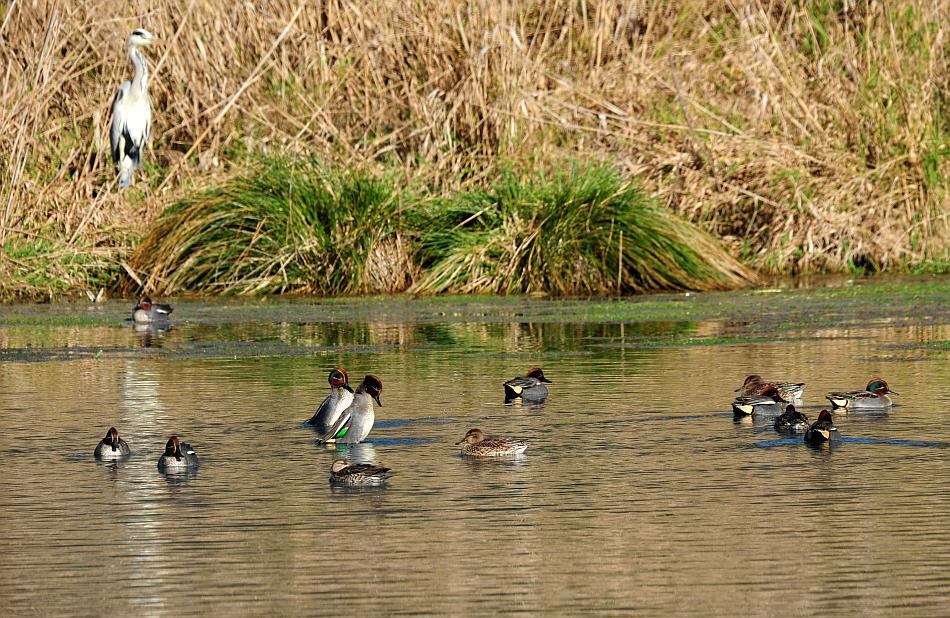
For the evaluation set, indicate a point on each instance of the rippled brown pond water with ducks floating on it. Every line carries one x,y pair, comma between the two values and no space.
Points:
638,494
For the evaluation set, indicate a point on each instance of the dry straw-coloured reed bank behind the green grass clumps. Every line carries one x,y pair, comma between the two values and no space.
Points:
807,135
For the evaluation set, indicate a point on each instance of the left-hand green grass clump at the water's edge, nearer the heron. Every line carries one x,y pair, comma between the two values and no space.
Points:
286,227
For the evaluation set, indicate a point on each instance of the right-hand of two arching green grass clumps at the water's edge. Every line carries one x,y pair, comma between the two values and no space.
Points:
584,231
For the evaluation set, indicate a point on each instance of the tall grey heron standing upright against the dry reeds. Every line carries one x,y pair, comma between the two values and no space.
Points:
132,112
